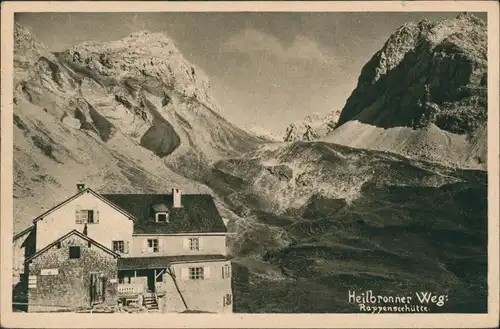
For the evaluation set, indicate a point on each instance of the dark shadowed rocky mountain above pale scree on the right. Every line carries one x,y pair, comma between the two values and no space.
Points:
430,72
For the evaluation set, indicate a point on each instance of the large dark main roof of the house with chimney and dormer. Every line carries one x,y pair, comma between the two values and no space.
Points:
198,213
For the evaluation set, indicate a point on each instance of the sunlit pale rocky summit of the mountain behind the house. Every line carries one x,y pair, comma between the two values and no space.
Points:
142,56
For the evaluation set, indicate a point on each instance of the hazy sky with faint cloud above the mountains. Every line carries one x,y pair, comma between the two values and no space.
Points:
267,69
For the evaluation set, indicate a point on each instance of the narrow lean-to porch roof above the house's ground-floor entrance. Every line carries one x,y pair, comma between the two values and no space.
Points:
136,263
